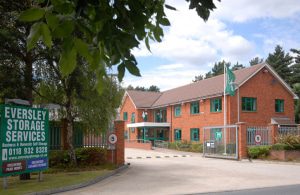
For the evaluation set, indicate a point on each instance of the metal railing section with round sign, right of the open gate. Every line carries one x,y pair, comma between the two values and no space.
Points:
259,136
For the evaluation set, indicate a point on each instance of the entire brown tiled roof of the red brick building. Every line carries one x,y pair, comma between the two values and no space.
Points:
206,88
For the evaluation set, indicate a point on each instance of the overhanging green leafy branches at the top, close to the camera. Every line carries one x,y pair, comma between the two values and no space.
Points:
103,33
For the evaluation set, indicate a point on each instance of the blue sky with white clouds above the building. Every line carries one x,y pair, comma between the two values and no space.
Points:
237,31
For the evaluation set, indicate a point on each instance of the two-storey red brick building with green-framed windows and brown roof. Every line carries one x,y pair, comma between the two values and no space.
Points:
261,97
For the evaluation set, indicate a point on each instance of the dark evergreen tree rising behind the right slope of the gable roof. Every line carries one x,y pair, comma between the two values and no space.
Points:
281,62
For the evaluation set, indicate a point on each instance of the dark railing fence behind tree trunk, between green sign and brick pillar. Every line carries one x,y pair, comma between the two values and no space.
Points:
80,137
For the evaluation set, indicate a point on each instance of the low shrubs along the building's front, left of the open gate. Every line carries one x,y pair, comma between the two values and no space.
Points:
186,146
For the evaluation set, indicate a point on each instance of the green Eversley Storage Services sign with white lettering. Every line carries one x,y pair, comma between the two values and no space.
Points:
24,139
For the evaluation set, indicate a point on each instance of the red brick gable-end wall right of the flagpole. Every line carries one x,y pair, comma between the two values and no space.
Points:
266,89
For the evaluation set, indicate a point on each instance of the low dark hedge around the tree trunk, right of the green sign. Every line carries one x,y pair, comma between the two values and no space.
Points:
85,157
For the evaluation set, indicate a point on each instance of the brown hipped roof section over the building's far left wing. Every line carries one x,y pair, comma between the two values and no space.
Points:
143,99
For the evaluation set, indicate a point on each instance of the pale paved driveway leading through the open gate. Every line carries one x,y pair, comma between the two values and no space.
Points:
171,172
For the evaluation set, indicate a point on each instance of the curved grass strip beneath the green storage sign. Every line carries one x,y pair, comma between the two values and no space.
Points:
50,181
